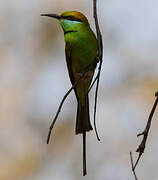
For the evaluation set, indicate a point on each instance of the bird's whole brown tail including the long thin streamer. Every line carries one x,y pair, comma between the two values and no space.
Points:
82,125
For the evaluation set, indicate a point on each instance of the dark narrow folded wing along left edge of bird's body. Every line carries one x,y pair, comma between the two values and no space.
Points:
69,62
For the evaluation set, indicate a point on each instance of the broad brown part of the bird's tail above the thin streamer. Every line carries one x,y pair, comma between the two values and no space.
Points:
83,120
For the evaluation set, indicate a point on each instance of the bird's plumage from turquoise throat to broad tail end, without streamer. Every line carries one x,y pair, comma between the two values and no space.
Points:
81,52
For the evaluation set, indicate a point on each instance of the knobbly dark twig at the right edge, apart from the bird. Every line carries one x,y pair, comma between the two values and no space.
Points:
145,133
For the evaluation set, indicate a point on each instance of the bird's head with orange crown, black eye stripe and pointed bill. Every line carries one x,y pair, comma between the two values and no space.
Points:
69,20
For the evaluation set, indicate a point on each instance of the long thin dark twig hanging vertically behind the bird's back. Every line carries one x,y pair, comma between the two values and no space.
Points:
100,56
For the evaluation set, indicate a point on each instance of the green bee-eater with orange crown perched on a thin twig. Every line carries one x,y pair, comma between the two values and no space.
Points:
81,49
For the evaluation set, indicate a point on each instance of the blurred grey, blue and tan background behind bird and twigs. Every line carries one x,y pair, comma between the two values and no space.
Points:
34,78
